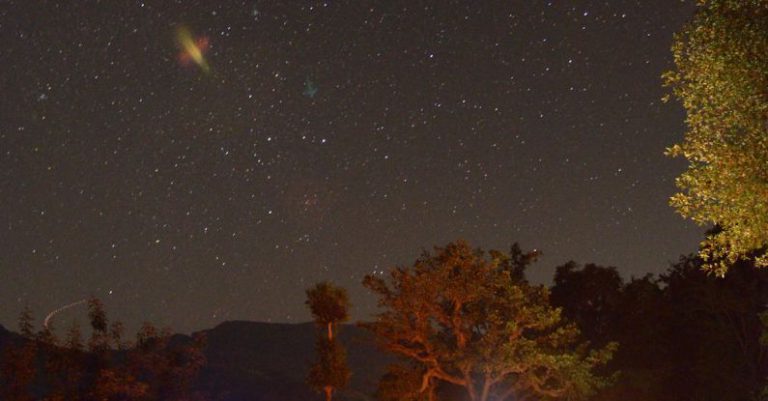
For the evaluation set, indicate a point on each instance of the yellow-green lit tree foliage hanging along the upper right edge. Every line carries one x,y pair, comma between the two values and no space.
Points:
721,76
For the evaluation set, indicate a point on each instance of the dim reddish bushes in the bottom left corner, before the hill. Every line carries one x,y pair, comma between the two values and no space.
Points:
40,367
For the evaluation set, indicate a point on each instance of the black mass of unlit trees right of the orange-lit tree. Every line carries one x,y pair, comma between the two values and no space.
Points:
686,335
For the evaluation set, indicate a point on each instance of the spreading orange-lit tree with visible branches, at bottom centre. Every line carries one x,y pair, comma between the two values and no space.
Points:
468,321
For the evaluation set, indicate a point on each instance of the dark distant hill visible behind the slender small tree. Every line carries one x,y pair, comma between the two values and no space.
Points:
255,361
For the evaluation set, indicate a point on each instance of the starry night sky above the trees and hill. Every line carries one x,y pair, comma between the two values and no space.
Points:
322,141
